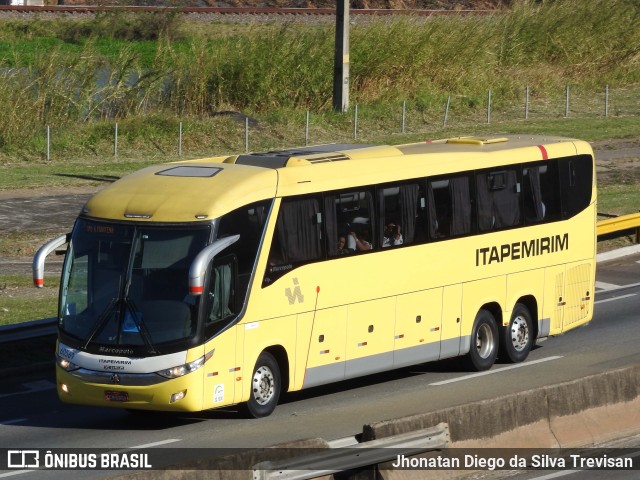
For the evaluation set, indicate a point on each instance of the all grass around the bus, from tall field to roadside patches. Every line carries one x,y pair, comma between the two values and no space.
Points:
151,73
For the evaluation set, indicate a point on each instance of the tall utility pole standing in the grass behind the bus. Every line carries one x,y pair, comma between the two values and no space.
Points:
341,58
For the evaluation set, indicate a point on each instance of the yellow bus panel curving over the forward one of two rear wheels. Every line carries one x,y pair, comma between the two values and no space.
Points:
475,295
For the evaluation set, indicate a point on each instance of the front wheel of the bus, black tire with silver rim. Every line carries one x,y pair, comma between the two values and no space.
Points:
265,386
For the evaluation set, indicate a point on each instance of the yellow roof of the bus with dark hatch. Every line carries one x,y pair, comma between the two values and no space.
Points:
197,190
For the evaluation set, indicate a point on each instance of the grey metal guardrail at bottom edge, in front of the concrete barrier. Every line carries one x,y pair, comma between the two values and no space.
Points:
348,458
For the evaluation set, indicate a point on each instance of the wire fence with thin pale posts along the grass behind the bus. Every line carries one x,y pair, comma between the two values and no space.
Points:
456,111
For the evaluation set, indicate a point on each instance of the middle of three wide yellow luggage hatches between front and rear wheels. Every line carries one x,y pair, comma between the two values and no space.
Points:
370,337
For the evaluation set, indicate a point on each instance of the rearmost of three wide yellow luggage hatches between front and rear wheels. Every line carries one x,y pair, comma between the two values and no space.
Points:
418,327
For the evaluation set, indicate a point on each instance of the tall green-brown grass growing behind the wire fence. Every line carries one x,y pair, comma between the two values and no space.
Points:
75,76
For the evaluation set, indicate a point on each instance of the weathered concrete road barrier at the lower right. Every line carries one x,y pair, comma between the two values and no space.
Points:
554,407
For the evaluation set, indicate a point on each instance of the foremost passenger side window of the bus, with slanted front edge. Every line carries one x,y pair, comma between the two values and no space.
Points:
297,238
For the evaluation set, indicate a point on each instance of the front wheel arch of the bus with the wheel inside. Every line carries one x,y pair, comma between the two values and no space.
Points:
268,380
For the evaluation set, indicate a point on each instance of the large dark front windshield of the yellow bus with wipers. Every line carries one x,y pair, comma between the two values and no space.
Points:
127,285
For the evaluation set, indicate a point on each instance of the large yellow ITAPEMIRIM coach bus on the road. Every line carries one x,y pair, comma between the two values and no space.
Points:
229,280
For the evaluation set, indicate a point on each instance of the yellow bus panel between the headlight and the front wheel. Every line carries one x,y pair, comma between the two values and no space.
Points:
220,371
